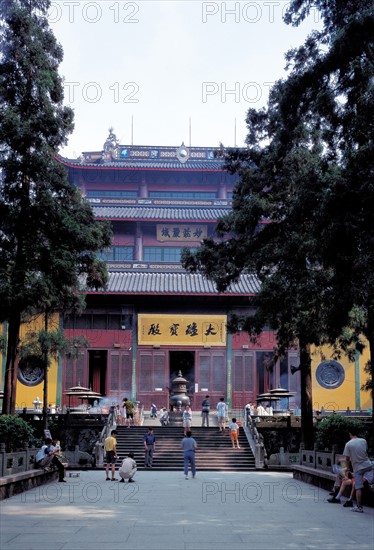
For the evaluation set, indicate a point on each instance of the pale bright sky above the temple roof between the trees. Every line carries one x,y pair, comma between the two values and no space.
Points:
163,72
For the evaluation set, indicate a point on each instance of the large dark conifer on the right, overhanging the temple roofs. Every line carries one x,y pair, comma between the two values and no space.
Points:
302,210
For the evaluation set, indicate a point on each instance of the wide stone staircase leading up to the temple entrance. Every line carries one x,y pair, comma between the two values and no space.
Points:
214,453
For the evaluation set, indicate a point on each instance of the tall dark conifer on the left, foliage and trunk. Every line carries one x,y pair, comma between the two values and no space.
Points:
48,235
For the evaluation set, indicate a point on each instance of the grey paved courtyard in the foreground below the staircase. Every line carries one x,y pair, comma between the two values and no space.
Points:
162,510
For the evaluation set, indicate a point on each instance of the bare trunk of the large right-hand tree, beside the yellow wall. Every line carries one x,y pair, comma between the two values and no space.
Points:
307,429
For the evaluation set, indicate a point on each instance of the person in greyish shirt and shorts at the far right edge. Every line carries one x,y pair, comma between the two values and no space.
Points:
356,451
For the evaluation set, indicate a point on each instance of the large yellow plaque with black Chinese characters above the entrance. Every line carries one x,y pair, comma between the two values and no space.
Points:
186,330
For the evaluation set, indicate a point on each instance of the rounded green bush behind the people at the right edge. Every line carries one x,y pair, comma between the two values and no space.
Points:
334,430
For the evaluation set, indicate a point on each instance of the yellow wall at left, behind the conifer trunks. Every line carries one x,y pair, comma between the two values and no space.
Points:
26,394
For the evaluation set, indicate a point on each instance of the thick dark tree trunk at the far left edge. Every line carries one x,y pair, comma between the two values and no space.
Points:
11,365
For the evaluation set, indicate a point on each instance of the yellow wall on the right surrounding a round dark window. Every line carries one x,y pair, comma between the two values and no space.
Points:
349,393
